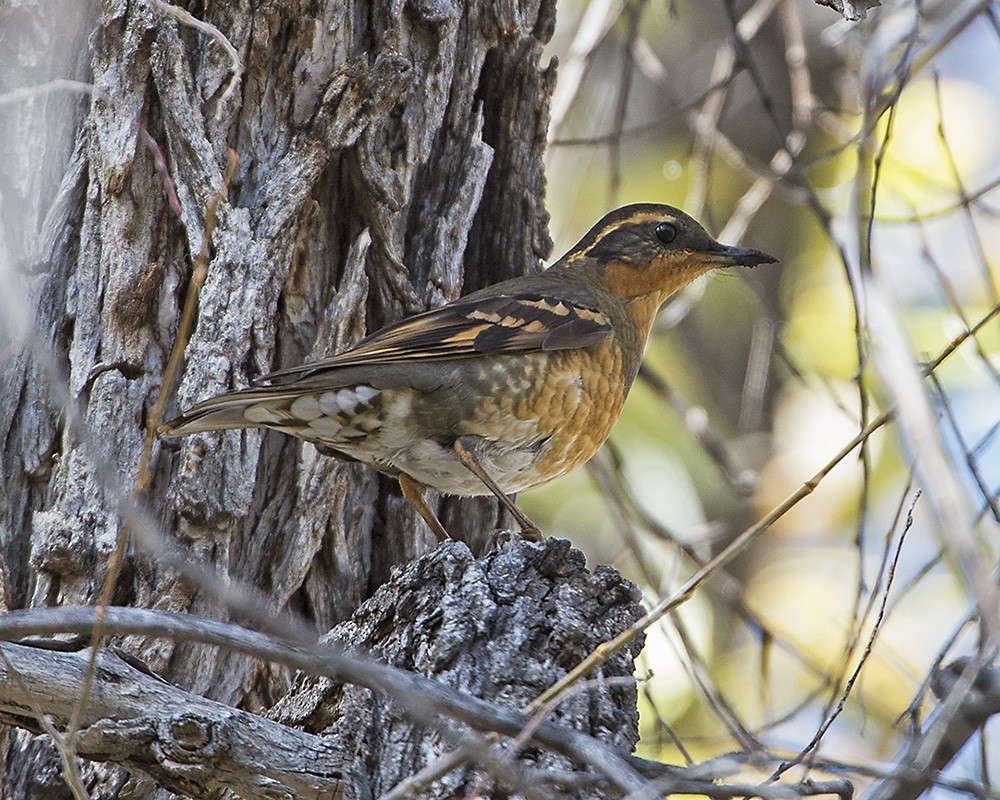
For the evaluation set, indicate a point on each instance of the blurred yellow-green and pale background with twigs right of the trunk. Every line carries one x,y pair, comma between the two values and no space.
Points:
865,156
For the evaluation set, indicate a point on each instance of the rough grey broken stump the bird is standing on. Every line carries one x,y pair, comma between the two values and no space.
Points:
502,628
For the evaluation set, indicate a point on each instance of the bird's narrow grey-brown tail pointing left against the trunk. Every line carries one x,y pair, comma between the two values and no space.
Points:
258,407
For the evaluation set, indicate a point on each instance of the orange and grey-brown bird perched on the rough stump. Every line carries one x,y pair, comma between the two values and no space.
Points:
501,390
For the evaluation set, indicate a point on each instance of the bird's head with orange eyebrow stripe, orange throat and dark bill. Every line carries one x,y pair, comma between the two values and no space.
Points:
650,250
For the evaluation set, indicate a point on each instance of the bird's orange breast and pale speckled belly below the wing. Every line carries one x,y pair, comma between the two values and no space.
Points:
527,418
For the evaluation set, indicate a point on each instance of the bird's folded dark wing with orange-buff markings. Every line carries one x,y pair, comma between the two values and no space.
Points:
474,327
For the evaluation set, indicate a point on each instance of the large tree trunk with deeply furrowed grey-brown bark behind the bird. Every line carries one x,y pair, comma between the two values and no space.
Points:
389,160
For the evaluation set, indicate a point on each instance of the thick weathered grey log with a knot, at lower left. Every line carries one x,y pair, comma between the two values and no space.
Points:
184,742
